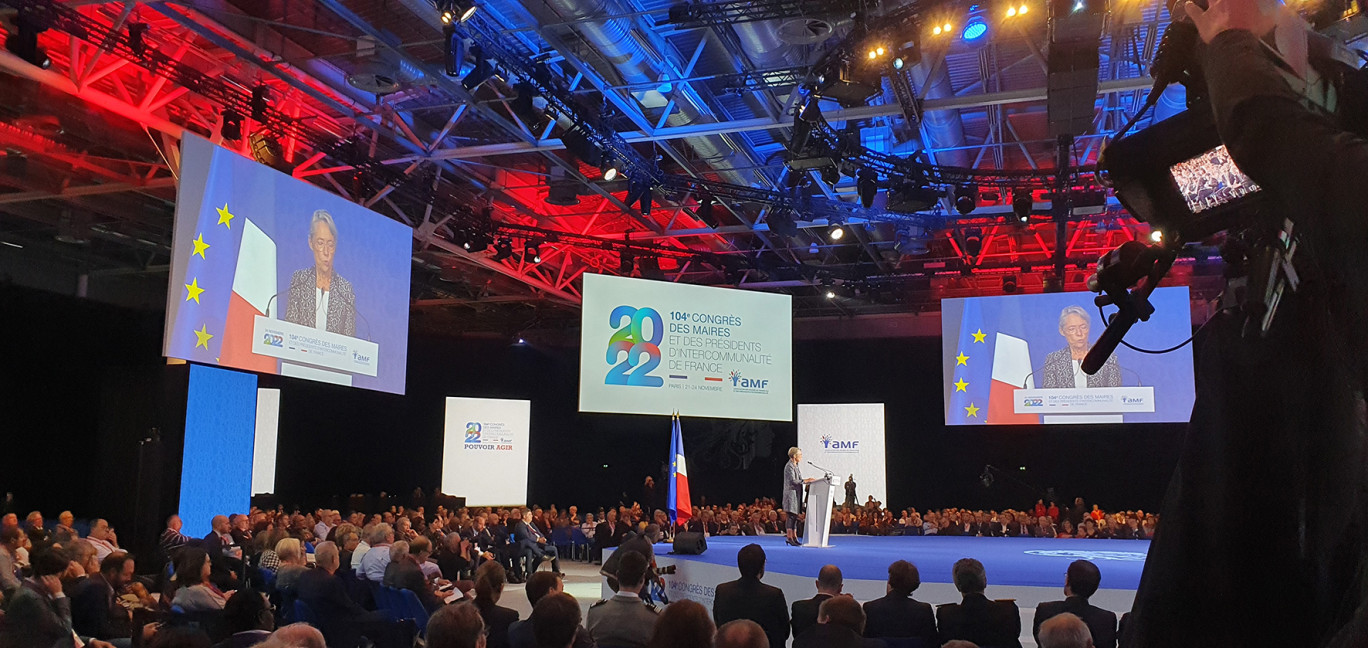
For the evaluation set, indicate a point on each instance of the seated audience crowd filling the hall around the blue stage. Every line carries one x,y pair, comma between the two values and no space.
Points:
269,568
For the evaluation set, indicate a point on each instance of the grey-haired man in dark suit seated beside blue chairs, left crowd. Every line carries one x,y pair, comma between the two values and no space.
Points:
340,617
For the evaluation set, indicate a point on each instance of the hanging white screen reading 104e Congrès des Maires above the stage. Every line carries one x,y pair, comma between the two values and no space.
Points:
659,348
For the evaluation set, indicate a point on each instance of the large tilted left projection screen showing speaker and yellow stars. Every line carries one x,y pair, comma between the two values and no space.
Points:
274,275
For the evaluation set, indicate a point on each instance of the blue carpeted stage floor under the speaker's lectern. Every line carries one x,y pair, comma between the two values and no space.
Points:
1009,561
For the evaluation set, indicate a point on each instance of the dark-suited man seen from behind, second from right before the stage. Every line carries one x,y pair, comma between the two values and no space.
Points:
976,619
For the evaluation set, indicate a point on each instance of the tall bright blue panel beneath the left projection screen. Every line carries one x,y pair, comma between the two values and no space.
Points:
220,433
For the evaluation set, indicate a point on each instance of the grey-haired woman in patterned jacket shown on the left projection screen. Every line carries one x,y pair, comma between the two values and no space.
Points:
319,297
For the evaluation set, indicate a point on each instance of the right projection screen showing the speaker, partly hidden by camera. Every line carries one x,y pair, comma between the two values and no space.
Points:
1014,362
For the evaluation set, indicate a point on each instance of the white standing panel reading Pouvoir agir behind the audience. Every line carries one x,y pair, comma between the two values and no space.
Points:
485,455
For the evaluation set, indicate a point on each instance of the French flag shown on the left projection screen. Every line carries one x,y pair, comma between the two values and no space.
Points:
254,288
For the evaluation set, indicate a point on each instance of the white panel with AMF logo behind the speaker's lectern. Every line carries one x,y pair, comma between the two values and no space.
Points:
846,440
